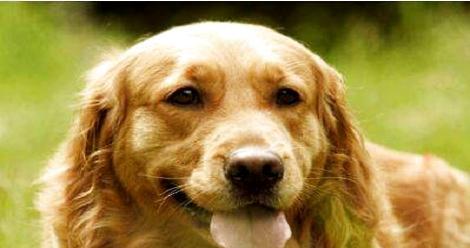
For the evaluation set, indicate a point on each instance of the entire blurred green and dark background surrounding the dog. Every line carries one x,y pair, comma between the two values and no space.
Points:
406,67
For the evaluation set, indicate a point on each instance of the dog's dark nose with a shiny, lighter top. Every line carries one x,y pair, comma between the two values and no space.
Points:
254,170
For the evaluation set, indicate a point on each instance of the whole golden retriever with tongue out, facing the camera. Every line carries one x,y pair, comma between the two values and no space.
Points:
233,135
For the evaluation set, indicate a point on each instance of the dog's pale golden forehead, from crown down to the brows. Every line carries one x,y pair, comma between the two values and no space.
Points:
210,51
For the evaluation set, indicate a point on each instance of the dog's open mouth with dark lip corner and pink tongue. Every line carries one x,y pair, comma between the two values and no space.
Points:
249,226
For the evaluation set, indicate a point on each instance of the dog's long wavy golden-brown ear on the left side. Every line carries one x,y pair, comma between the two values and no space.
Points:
89,178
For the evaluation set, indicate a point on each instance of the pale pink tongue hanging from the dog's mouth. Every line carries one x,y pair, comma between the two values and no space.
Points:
251,227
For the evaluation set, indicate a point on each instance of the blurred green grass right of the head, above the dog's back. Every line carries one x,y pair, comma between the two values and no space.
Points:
412,92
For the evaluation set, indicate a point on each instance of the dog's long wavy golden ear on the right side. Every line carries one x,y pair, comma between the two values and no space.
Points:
351,192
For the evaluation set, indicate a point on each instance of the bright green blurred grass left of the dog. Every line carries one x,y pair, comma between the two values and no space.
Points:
42,60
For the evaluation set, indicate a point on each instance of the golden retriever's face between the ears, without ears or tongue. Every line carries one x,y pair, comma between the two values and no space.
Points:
219,117
